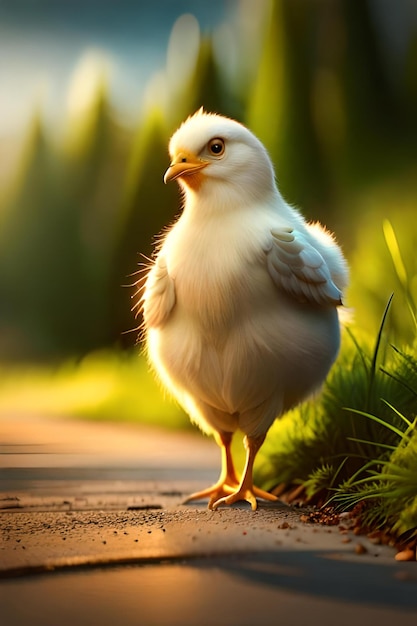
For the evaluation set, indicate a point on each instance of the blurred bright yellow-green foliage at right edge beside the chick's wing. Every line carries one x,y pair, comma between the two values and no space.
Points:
383,260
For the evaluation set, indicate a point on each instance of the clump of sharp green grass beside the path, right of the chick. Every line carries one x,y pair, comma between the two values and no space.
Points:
357,442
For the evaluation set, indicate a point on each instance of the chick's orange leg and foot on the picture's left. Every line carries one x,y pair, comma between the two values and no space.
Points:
228,481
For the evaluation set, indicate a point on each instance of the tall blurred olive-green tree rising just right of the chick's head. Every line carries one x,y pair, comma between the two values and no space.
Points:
279,108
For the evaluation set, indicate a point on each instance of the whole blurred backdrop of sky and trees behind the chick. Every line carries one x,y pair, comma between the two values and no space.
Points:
90,94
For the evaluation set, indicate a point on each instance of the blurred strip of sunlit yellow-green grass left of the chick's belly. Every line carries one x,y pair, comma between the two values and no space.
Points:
104,385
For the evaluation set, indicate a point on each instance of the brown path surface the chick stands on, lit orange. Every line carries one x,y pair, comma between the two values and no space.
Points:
93,531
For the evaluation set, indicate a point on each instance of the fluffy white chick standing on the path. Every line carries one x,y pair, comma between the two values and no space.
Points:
240,305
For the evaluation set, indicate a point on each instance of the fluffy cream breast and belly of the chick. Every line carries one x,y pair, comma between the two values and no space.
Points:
234,341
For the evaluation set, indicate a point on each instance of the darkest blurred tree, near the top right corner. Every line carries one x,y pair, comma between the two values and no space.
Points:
373,113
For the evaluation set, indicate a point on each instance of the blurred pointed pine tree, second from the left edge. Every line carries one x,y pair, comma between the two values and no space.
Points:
95,168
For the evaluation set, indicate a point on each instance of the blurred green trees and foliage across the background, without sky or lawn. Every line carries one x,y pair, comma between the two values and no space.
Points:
82,208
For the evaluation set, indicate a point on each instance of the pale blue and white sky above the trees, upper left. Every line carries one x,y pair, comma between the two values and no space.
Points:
43,42
